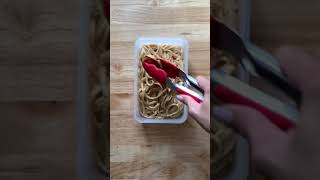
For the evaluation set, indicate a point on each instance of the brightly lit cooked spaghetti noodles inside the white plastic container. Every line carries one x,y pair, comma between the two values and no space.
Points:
155,99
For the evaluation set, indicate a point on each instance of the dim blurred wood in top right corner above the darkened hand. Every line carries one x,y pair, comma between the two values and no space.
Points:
293,23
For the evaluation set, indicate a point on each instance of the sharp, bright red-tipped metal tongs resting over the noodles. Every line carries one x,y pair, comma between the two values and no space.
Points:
163,71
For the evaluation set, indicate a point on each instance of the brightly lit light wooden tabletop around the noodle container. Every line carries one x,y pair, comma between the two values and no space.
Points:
156,151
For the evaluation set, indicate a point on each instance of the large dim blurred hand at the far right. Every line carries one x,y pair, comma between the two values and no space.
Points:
277,154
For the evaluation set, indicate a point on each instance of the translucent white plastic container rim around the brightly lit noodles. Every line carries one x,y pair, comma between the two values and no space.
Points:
158,40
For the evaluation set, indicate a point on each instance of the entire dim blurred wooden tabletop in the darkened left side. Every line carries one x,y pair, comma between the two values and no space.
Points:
37,68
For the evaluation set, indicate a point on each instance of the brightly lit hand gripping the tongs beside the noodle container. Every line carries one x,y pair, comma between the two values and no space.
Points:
200,112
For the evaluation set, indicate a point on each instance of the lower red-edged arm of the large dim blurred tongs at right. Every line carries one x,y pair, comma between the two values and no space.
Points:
228,89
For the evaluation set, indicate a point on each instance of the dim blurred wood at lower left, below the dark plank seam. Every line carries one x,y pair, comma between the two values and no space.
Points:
37,141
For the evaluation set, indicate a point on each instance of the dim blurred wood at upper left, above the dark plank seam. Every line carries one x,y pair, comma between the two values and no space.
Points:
38,50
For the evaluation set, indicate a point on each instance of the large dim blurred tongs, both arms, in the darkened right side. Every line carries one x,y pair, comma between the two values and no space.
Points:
255,62
